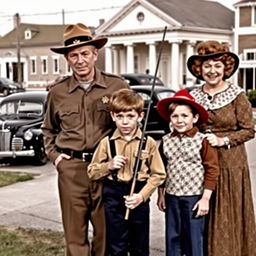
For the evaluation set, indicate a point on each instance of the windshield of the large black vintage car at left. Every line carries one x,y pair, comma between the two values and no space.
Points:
22,108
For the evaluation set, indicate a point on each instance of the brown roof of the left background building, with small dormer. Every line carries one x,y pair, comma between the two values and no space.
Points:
42,34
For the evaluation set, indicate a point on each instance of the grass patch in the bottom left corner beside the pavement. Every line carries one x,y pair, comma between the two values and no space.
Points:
30,242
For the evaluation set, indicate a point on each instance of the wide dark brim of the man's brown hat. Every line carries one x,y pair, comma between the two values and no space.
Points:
98,43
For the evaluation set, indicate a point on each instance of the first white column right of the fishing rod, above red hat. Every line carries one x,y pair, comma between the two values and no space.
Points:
175,54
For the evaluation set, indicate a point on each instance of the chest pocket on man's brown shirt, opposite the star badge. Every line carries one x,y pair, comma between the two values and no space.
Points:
70,117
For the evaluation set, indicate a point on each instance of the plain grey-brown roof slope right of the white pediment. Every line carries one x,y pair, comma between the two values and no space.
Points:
197,13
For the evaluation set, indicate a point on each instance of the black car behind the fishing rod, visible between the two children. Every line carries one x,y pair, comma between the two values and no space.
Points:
156,124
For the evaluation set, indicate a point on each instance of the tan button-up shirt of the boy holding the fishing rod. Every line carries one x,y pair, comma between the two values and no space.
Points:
152,169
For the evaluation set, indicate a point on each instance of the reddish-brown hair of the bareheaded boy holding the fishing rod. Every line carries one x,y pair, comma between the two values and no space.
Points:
126,100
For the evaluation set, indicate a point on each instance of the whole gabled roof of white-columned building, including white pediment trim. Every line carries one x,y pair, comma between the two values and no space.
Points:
177,14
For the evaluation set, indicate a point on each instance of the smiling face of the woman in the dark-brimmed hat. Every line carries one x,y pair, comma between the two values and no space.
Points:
213,72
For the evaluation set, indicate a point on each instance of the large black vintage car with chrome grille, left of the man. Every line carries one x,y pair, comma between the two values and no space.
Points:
21,116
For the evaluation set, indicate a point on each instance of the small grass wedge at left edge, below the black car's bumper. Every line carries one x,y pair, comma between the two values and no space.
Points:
8,178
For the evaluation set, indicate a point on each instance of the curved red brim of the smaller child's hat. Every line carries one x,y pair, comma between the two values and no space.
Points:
163,105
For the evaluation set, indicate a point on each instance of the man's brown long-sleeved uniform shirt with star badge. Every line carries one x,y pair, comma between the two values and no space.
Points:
78,119
